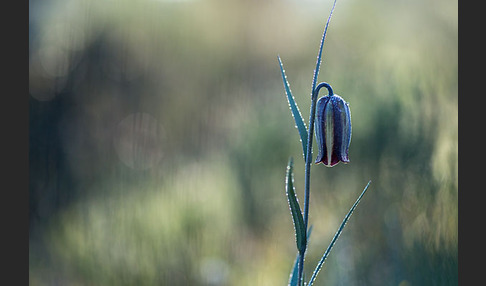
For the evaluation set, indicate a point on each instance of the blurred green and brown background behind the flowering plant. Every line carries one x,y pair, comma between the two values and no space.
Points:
159,136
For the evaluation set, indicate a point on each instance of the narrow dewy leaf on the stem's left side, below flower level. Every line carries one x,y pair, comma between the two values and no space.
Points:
300,232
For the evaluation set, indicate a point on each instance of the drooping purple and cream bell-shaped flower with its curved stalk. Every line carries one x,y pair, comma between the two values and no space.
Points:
333,128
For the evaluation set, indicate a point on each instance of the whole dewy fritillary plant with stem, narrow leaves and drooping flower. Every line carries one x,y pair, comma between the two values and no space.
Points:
333,136
